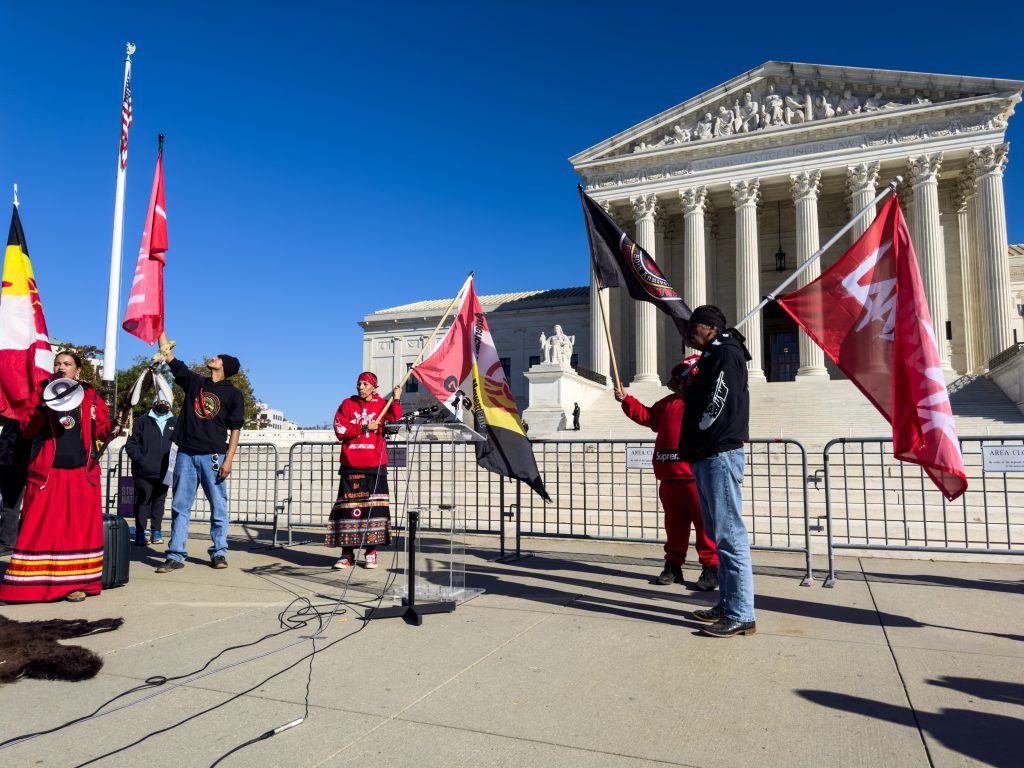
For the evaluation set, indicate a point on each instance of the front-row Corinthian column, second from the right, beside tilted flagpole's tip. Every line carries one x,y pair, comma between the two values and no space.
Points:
924,175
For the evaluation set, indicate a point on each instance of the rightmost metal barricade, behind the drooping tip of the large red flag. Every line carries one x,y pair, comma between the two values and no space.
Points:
876,502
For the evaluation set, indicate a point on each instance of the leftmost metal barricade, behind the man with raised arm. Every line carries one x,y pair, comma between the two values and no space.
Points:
253,487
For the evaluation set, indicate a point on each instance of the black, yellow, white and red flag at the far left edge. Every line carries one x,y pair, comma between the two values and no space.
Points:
26,355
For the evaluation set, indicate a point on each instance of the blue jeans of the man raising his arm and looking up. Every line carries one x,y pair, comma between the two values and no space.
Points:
191,471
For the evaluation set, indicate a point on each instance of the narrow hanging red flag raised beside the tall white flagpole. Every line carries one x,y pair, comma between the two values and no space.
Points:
145,314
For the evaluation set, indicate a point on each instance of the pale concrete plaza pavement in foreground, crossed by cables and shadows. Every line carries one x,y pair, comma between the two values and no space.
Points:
572,658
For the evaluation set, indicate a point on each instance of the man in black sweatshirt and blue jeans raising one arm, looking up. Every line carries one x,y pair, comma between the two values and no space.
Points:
212,408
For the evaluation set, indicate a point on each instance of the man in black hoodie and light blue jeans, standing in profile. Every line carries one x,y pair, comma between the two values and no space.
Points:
716,425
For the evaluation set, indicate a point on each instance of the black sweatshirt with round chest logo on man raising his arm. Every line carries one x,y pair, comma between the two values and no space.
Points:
210,410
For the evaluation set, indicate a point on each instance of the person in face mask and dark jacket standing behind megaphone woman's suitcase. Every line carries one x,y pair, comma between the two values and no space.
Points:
150,451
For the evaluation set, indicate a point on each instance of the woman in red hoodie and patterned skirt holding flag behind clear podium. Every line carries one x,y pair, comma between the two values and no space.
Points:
362,518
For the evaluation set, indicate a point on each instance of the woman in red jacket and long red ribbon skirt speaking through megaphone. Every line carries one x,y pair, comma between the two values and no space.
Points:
60,550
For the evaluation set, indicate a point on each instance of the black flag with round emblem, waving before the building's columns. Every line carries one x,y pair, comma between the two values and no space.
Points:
620,262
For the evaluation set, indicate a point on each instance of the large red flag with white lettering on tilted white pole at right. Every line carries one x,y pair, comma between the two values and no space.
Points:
870,315
